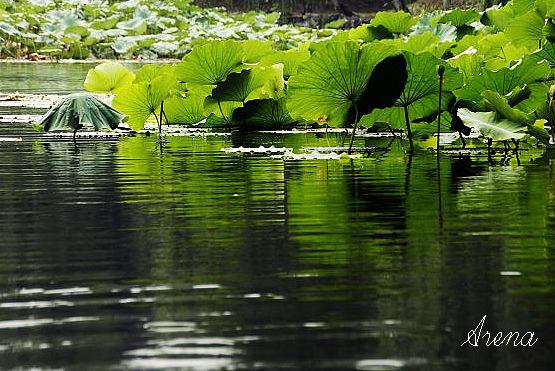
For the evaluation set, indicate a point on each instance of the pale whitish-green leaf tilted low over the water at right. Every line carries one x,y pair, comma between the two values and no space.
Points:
490,126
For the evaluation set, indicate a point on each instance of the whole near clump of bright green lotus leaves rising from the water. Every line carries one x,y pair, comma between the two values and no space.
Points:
496,79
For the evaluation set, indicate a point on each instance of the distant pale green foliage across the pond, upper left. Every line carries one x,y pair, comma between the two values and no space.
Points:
146,28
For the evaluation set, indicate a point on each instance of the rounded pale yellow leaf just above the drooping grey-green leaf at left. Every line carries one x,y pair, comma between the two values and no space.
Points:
107,78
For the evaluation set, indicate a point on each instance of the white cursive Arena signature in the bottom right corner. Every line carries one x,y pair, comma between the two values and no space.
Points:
511,338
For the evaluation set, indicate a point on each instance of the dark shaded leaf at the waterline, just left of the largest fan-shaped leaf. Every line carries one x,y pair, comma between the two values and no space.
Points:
263,113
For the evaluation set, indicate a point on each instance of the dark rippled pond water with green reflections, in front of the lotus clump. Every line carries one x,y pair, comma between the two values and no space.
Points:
136,254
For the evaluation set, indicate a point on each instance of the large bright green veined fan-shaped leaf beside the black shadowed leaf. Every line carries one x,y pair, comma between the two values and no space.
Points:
333,81
